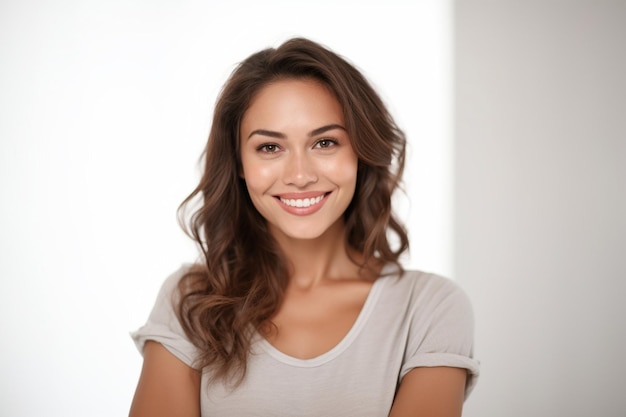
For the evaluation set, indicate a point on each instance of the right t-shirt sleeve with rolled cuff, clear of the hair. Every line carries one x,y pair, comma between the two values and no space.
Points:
442,330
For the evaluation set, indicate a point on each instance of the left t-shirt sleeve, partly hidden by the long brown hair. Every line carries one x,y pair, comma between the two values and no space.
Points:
163,325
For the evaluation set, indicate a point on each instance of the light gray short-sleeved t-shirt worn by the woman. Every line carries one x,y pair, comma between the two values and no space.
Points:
408,321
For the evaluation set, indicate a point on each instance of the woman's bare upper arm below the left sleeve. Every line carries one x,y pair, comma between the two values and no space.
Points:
167,387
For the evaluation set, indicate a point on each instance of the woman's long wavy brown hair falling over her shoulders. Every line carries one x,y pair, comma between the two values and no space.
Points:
239,284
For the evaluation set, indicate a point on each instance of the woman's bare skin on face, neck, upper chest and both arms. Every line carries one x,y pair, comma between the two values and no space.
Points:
293,144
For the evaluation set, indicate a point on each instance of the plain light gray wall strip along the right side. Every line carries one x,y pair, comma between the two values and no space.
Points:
540,203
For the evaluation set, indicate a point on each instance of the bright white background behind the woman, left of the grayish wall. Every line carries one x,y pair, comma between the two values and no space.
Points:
104,110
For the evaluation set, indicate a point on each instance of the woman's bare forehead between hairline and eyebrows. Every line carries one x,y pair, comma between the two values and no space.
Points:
291,103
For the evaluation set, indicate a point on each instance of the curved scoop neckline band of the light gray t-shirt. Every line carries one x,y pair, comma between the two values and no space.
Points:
345,342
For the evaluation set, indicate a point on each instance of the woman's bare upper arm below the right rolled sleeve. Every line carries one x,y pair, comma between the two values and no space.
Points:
430,392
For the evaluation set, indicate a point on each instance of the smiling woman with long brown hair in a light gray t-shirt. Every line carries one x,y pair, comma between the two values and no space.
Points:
299,306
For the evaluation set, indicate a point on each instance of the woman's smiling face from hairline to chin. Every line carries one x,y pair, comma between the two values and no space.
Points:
297,159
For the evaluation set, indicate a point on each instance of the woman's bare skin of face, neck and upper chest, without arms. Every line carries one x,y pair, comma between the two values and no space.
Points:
293,143
